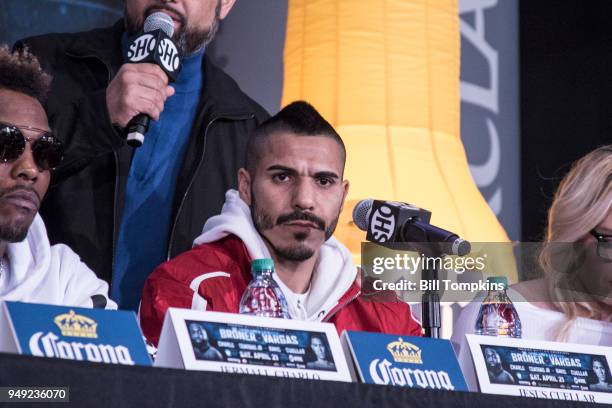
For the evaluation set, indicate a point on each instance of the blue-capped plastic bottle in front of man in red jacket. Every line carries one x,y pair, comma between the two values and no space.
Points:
263,297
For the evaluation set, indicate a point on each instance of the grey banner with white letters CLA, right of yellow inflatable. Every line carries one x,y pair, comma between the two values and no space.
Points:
490,103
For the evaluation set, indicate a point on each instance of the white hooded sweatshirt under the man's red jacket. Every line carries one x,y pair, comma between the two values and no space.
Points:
334,271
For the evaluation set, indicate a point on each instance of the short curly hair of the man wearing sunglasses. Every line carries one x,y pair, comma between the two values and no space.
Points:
21,72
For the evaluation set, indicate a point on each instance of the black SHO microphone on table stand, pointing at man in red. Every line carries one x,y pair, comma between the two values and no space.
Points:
390,221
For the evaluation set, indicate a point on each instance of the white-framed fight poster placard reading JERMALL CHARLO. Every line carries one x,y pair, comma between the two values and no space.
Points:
235,343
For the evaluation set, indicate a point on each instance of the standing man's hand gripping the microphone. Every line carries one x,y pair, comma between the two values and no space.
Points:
137,88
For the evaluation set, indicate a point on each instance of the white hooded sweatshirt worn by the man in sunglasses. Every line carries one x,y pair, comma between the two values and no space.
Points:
41,273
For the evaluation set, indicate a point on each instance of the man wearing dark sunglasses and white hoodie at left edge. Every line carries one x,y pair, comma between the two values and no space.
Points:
31,270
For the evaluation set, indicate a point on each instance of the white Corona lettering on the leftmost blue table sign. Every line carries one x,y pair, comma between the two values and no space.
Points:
48,346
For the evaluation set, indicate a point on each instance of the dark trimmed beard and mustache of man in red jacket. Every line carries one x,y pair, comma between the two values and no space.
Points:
298,252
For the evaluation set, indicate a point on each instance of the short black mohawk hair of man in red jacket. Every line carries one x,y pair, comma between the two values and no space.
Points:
298,118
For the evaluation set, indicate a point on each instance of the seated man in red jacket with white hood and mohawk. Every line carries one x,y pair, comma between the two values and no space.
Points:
290,196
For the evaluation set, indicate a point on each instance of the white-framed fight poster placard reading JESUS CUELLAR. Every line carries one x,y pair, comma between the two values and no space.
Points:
542,369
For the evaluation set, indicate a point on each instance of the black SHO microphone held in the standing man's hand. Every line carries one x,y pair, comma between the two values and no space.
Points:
154,46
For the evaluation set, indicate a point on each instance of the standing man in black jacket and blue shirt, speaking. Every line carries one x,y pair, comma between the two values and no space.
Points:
133,208
